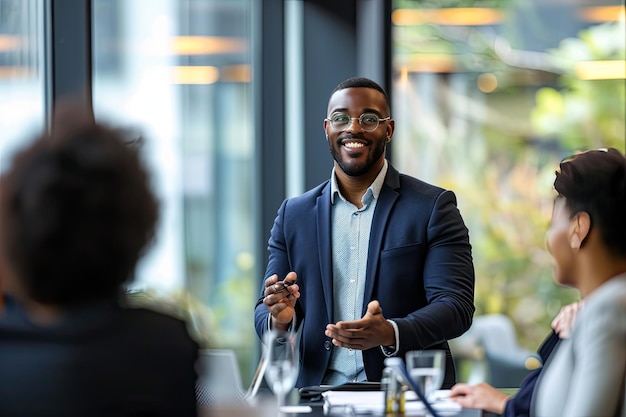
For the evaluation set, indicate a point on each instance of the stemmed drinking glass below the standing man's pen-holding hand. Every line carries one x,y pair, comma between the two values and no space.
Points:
281,353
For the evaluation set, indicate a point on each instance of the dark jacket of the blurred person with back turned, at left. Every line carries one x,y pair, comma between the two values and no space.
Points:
100,360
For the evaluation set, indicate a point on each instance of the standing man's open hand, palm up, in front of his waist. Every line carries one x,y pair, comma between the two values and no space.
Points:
369,331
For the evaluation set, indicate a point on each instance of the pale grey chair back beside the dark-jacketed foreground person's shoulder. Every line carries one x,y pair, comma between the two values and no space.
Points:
219,380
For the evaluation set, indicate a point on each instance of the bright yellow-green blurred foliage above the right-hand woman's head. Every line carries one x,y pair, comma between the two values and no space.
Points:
584,113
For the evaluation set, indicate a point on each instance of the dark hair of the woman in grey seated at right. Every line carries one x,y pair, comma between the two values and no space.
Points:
595,182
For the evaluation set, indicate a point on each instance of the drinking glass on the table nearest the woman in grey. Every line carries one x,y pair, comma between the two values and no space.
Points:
427,368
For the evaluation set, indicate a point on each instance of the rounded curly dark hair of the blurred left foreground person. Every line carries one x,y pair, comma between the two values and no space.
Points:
76,212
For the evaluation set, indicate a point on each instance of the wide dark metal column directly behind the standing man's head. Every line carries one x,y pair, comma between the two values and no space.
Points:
342,39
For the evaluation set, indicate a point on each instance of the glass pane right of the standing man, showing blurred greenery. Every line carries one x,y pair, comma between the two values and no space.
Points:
488,97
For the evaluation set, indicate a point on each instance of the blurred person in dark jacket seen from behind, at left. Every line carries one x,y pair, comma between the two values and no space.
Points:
76,214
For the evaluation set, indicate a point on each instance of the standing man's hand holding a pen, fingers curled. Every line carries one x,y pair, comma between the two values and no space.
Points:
280,299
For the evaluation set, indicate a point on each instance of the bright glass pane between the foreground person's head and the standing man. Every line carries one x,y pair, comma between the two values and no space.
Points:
178,74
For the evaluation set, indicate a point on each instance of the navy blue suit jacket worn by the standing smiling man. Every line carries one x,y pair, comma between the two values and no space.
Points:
419,268
